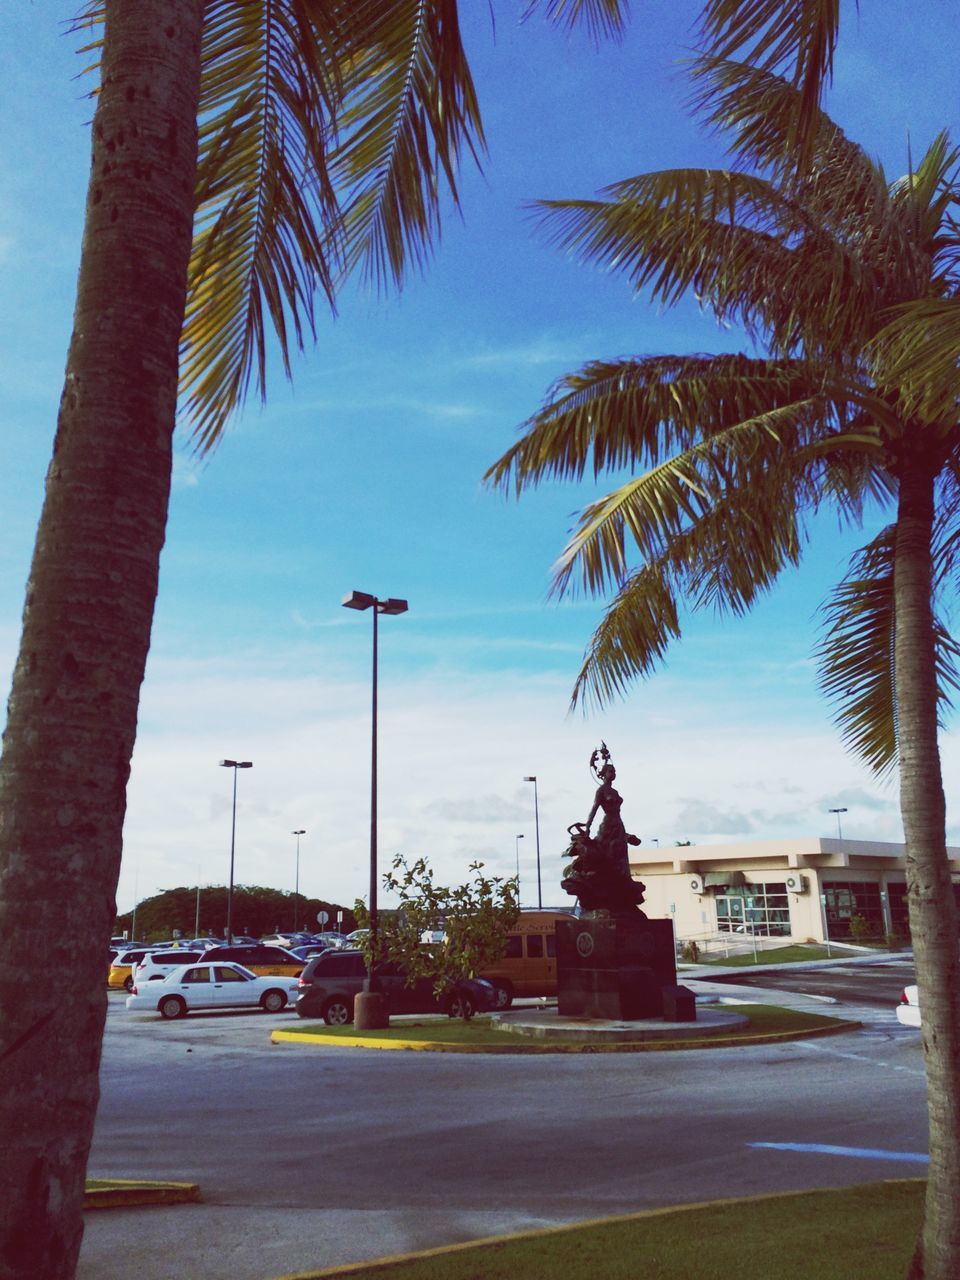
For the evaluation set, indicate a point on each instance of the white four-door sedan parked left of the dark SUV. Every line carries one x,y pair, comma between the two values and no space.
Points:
213,986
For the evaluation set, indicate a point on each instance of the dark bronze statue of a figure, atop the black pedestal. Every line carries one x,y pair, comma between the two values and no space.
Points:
600,874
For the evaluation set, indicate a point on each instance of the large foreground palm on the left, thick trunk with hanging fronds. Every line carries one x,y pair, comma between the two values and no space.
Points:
246,154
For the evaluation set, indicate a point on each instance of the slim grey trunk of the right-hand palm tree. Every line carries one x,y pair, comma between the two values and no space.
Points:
934,917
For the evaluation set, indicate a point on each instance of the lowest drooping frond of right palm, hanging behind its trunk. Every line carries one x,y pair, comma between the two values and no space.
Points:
856,657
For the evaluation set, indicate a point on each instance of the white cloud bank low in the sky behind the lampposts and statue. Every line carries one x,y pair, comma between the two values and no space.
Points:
454,752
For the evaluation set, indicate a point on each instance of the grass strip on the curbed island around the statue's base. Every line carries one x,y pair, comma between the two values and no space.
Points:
765,1021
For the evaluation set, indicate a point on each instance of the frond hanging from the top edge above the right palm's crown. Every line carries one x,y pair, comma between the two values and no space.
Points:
792,38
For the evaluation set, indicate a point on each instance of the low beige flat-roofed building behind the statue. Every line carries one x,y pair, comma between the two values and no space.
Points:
797,890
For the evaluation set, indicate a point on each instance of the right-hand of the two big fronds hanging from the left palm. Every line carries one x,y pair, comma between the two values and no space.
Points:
409,115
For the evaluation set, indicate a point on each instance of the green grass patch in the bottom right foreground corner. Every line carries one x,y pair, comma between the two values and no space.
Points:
861,1233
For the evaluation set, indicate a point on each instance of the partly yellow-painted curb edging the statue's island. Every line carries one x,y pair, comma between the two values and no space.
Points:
540,1048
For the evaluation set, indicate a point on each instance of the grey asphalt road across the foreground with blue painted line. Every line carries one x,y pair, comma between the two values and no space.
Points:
340,1155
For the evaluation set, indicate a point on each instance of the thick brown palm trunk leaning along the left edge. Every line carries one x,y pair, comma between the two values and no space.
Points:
86,628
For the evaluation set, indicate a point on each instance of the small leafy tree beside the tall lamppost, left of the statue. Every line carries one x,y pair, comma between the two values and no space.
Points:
474,920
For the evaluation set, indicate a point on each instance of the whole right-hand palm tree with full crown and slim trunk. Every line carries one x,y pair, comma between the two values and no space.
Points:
732,458
